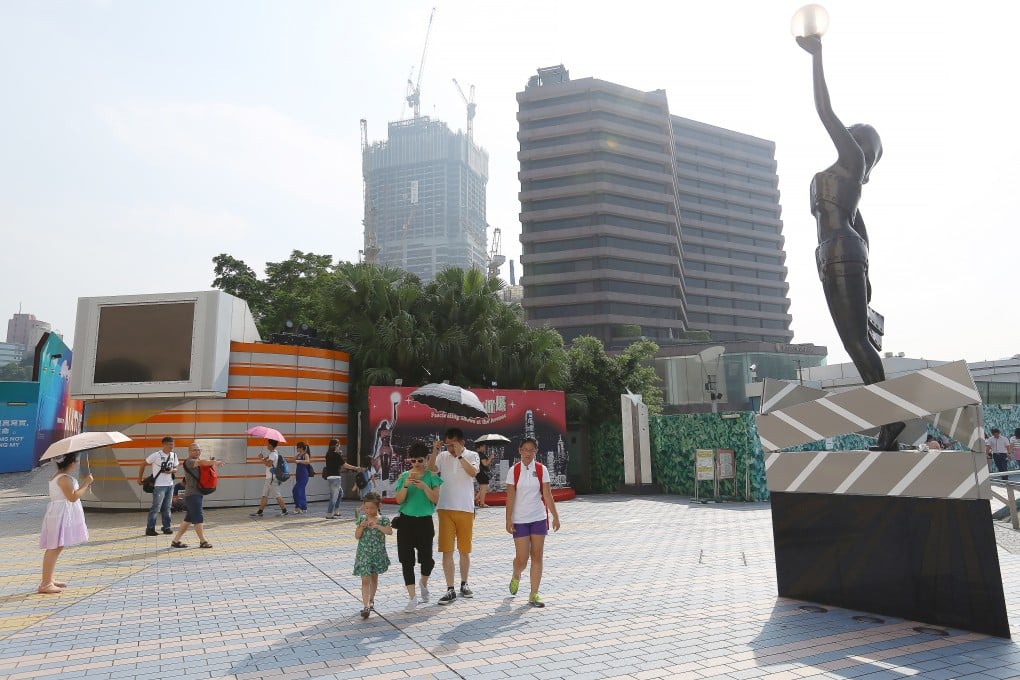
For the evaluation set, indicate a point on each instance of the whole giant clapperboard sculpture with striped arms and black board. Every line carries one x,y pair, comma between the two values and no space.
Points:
904,534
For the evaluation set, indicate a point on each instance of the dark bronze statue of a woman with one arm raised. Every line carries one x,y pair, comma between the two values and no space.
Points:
843,240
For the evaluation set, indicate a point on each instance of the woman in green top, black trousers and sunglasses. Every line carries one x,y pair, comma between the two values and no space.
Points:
418,493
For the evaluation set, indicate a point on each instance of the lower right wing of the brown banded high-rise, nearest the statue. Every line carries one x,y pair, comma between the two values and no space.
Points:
734,260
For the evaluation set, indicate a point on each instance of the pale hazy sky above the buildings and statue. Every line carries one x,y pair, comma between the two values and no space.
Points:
142,139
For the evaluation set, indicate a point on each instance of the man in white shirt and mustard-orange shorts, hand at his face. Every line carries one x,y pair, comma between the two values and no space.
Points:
457,465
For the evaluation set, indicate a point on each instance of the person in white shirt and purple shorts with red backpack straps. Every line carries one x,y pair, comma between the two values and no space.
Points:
530,502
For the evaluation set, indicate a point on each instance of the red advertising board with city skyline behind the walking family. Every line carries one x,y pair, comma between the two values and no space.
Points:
395,421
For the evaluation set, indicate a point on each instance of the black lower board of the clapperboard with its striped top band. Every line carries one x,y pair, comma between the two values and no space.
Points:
907,535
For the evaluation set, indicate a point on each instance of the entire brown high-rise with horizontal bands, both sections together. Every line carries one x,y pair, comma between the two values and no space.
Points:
638,223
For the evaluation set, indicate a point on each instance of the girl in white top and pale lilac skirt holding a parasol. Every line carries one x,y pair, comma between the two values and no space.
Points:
64,524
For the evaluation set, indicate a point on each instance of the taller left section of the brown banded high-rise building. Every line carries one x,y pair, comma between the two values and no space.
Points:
601,245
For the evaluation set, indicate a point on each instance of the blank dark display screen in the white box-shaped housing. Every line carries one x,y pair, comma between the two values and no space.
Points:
145,343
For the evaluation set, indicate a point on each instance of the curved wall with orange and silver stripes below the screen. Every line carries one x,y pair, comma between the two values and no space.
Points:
301,392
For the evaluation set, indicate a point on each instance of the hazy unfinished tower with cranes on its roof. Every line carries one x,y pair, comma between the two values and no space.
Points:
426,198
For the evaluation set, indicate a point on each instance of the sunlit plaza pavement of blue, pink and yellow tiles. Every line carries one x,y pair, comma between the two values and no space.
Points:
637,588
